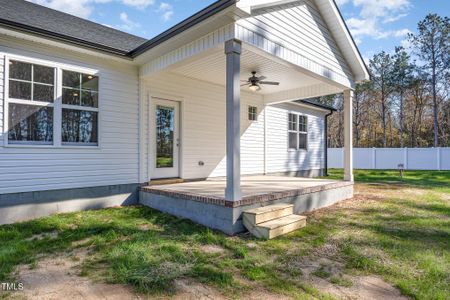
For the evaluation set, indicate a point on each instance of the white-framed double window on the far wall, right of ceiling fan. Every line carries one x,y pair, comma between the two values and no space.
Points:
297,132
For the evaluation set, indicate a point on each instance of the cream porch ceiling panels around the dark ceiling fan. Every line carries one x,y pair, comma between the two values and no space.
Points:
210,67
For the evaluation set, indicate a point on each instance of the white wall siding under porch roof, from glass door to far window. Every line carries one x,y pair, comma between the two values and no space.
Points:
204,130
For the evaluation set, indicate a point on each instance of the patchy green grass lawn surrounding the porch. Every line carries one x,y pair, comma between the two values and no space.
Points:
396,229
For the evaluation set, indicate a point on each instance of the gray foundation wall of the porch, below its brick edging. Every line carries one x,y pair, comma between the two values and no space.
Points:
228,219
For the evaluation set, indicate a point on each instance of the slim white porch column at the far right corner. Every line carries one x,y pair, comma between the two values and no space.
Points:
348,135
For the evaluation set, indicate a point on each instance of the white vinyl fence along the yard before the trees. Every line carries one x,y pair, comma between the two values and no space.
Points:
390,158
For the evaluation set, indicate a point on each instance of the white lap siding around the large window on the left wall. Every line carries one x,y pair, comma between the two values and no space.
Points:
115,162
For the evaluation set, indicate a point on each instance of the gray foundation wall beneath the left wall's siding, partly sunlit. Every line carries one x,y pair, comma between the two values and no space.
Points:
19,207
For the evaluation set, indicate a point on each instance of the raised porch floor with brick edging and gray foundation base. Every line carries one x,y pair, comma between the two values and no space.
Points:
205,202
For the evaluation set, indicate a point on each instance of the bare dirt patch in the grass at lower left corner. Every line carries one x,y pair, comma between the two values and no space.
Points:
57,278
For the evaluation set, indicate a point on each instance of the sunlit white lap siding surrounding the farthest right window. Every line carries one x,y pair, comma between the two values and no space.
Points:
279,159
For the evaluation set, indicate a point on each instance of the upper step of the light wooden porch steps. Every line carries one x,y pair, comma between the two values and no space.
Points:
266,213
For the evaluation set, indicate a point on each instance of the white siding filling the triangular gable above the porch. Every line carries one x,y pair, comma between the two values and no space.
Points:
297,33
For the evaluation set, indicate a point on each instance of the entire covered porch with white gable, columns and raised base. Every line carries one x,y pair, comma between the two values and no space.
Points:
206,72
